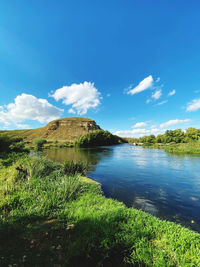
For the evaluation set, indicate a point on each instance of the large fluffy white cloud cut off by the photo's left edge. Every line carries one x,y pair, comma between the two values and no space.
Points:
28,107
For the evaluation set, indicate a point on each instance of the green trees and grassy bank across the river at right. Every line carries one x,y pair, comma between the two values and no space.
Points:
173,141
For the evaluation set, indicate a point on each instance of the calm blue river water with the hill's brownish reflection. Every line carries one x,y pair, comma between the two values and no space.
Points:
163,184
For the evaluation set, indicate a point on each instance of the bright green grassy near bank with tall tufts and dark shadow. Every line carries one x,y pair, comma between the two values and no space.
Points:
49,218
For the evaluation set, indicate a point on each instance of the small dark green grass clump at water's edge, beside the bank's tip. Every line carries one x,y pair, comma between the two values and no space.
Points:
71,167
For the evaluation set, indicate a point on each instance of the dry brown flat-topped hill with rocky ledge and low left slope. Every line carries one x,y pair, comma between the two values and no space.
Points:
65,129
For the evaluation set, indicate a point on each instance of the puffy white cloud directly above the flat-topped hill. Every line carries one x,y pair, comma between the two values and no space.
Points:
81,96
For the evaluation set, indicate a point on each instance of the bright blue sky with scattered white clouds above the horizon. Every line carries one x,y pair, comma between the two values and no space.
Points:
132,66
